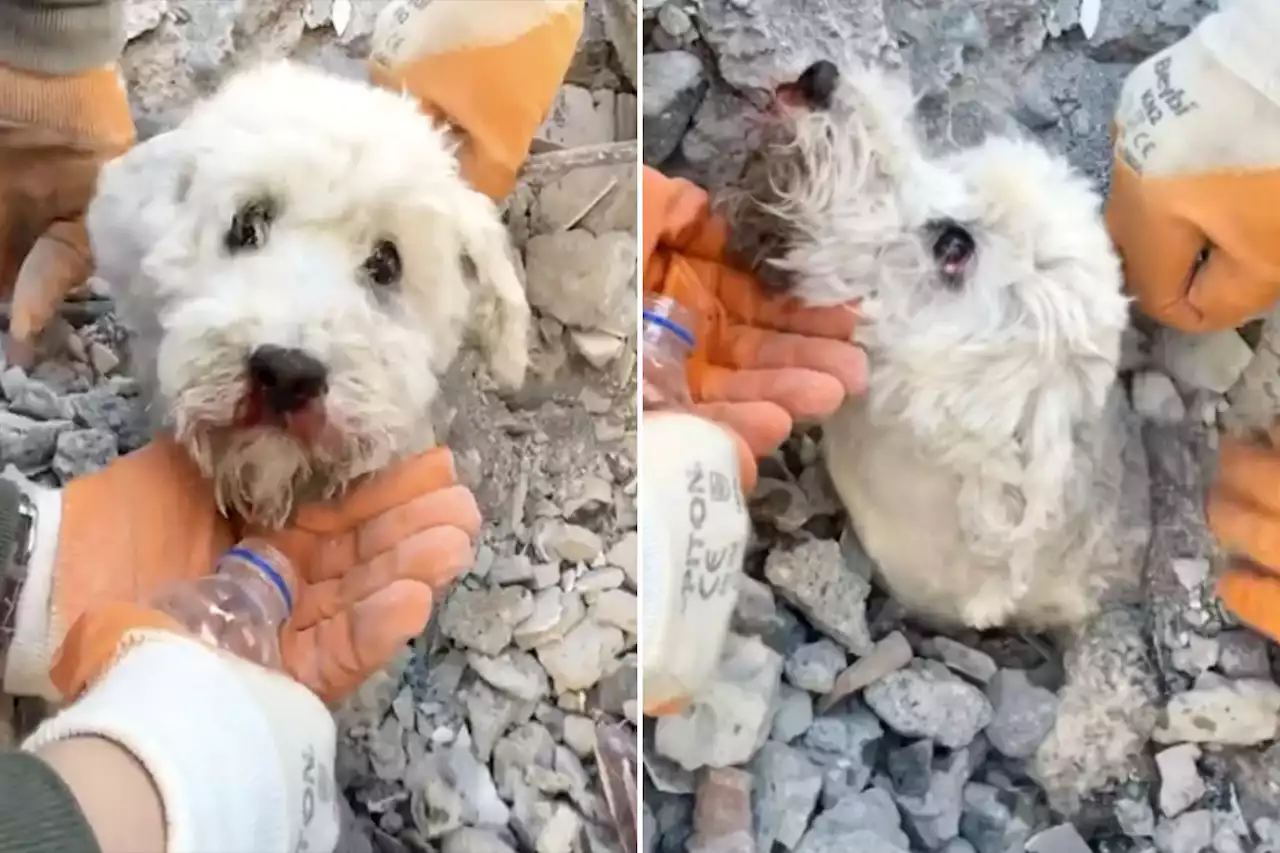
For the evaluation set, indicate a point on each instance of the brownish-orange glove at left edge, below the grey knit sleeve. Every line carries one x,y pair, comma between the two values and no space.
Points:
56,133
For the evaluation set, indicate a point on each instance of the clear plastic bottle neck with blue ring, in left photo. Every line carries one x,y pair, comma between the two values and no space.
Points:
241,608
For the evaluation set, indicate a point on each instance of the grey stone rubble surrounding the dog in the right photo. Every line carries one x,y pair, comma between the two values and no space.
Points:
838,723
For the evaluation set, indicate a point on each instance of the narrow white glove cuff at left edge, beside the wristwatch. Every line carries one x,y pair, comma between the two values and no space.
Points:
31,654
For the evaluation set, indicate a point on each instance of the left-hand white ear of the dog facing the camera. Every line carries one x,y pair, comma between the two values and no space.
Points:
135,206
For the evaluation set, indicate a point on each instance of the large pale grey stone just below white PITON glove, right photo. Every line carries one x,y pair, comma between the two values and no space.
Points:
730,718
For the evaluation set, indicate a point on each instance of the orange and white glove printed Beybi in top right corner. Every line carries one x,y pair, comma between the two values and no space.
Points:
1197,150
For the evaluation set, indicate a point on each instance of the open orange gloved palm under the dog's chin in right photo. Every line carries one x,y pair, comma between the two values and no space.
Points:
760,363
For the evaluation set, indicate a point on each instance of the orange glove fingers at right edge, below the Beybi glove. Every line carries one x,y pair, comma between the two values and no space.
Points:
1245,516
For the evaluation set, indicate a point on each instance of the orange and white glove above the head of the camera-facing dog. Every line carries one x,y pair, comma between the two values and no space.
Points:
490,69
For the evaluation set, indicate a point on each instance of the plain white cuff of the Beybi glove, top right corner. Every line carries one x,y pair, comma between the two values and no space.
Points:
1244,40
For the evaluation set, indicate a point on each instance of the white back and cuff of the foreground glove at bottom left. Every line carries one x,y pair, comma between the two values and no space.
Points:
199,727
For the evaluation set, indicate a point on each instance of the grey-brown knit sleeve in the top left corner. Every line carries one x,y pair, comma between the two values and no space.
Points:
61,37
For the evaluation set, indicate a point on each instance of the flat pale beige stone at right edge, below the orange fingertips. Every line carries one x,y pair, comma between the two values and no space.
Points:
1241,713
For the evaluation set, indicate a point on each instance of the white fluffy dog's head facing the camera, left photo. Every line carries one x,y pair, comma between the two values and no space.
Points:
298,263
